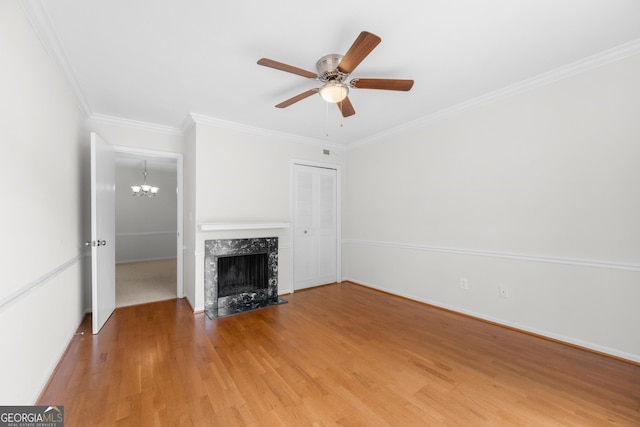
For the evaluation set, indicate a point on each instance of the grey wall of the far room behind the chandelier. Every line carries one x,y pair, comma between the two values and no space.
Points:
145,226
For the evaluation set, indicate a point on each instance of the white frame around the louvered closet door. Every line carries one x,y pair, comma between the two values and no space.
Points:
322,165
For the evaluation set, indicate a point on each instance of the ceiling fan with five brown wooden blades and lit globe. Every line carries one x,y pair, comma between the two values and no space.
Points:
333,71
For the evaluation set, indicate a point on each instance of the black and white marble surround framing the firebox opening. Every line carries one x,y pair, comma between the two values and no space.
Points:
214,249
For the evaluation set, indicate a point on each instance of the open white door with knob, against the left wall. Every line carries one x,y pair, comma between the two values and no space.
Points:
103,265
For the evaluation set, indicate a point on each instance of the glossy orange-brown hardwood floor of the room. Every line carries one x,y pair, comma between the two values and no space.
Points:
334,355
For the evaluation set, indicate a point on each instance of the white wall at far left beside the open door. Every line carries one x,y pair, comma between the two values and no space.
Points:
43,181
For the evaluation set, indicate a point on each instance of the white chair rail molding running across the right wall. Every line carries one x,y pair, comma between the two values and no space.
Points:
504,255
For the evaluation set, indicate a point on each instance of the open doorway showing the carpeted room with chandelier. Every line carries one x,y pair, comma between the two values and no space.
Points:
148,229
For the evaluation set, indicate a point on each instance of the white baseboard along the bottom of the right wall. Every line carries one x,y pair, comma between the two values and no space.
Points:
570,342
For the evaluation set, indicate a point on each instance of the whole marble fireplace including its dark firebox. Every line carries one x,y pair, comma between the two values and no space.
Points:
240,275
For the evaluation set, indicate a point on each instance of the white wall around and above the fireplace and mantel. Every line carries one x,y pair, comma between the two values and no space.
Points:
244,177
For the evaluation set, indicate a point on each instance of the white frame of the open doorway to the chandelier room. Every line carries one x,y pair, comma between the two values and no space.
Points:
180,201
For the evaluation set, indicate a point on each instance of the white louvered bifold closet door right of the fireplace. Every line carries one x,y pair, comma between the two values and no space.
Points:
315,226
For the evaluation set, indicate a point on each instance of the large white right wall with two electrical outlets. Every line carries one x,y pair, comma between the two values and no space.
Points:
537,192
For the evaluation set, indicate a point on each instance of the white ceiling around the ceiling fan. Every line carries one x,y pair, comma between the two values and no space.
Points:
156,61
